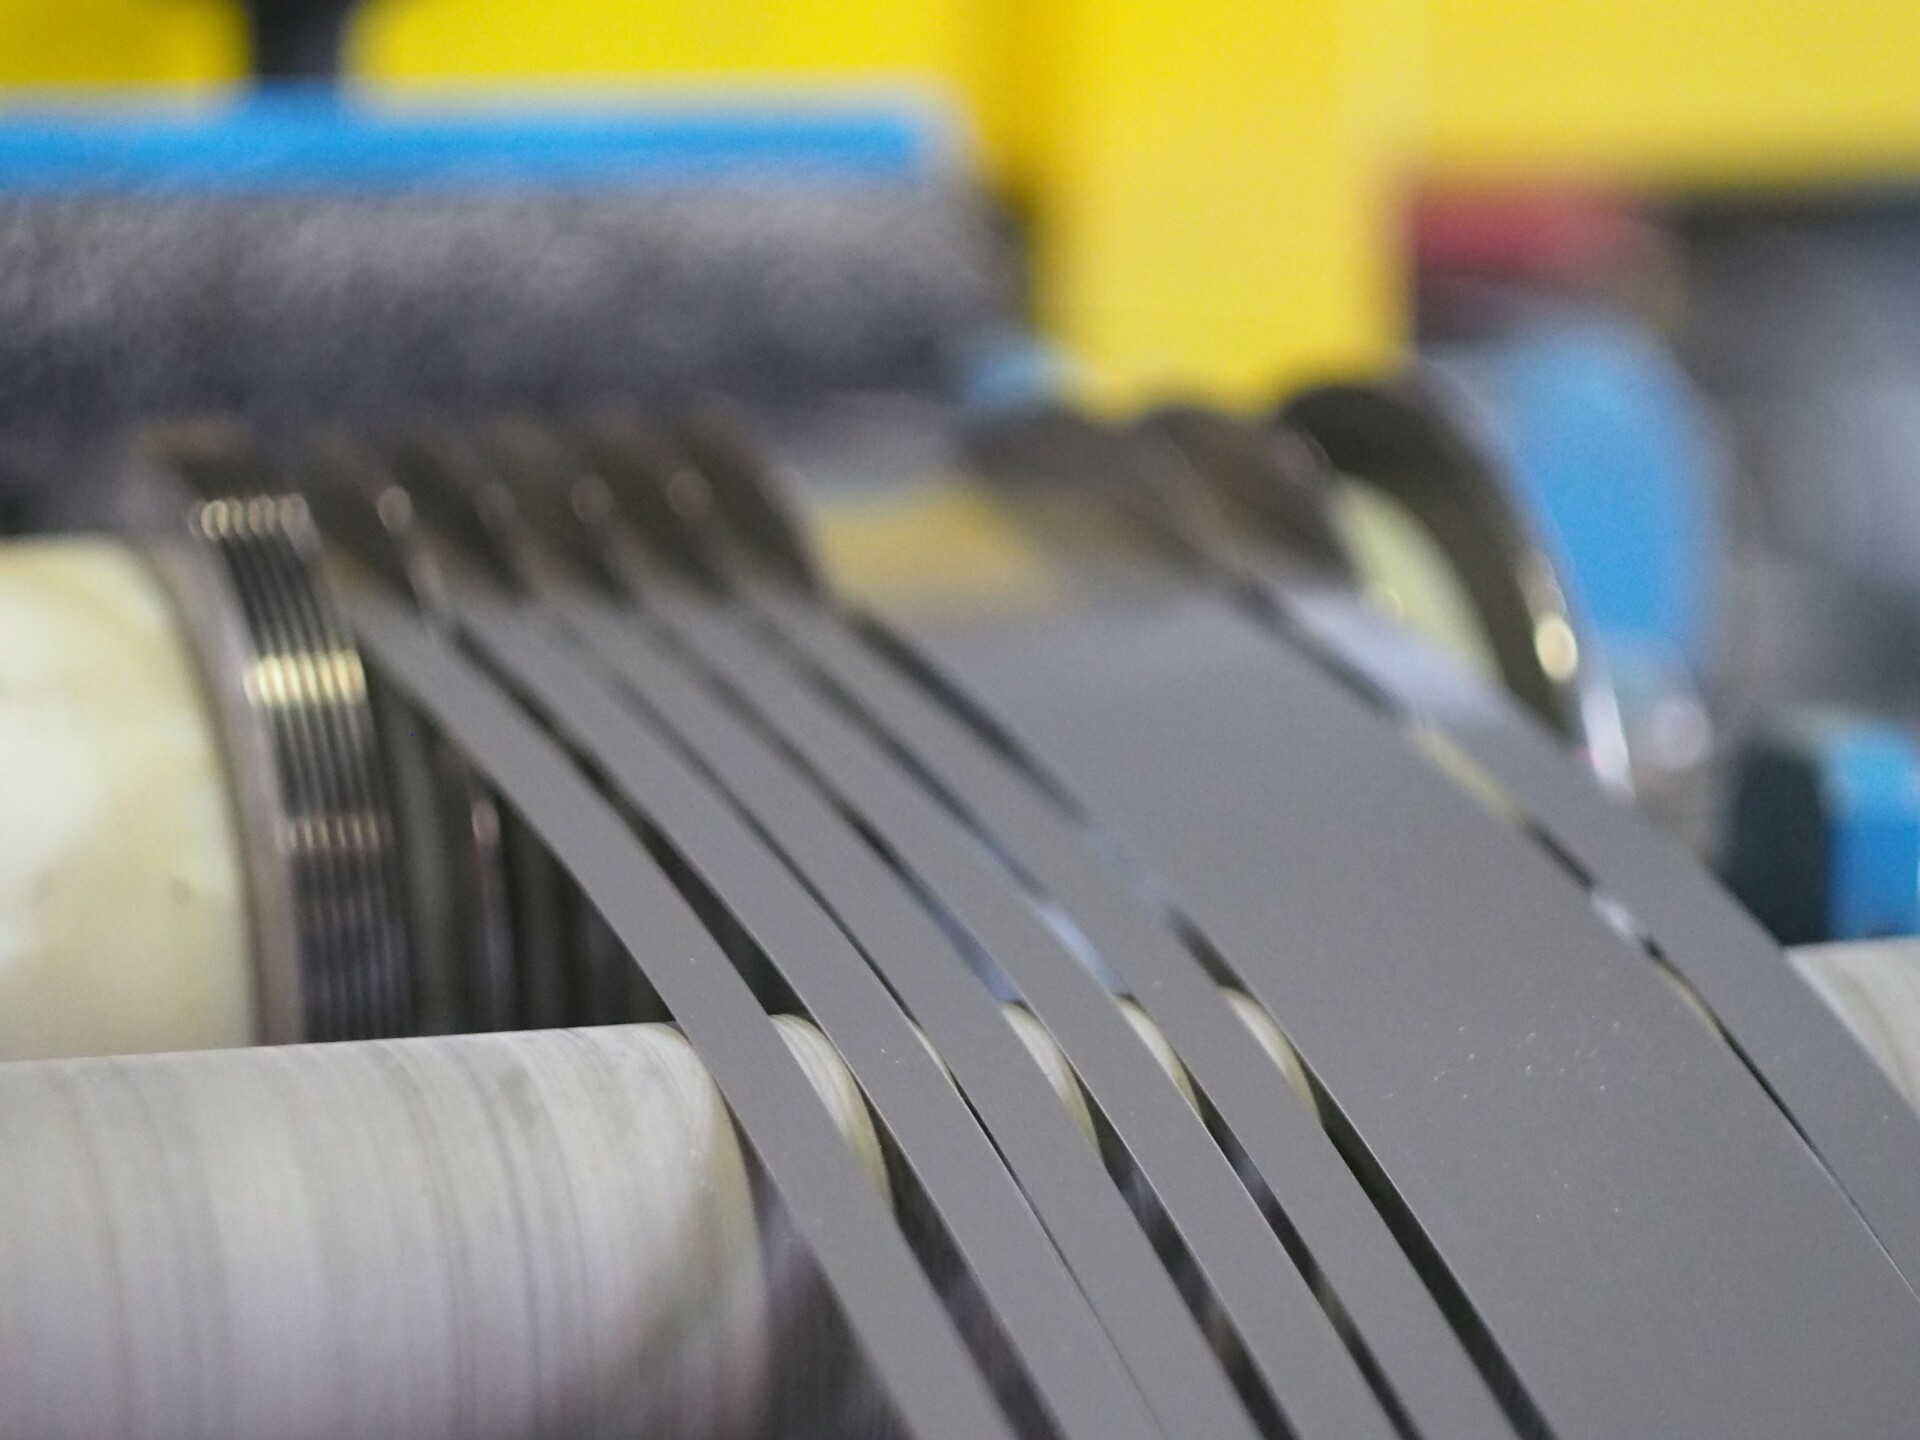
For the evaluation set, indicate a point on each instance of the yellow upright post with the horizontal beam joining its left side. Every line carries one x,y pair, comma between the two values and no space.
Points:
1209,187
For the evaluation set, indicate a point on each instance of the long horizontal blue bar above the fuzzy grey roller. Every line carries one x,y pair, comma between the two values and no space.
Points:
308,137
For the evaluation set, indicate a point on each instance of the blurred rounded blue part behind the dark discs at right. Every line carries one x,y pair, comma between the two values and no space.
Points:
1621,466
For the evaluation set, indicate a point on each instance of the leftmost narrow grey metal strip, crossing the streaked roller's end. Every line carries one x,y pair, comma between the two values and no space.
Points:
915,1353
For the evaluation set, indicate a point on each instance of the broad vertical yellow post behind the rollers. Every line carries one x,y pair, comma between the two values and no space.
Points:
1212,193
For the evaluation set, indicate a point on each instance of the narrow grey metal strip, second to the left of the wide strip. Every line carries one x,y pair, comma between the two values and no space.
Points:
1284,1330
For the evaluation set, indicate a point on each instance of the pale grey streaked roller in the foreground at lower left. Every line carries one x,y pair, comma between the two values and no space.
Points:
502,1236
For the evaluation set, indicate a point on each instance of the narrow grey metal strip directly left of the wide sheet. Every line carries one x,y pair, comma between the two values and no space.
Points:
1401,1324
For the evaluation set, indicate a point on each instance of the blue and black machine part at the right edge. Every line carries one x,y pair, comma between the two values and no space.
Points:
1825,828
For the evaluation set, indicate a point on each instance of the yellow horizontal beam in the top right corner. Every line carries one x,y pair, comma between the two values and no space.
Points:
1673,91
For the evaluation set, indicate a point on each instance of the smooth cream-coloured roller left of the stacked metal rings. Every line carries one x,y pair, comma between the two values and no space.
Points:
124,905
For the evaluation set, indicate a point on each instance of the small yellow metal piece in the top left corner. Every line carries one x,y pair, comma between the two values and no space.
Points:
174,43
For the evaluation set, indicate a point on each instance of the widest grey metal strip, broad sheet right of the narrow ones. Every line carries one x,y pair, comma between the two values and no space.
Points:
1639,1228
